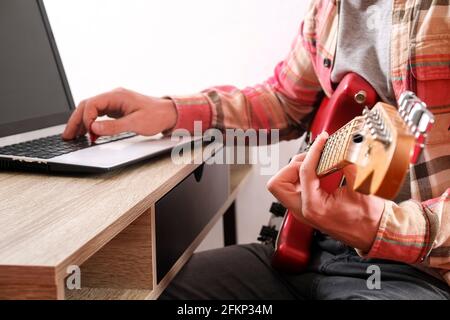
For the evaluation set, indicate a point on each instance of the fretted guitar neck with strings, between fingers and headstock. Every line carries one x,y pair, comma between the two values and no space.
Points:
336,151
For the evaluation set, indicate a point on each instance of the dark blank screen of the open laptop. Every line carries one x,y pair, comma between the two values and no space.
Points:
33,89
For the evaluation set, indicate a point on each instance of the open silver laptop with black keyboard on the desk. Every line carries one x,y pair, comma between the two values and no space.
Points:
36,103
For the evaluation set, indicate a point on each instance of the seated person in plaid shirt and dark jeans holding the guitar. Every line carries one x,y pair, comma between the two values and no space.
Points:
396,45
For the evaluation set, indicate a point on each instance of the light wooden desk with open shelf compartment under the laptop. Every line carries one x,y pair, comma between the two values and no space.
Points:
106,224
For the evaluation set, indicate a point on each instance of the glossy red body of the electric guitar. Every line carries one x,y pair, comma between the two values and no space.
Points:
292,252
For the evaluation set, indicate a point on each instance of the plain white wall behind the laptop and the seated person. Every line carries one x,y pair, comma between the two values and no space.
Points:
164,47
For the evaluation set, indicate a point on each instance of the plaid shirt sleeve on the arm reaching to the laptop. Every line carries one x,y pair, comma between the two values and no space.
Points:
281,102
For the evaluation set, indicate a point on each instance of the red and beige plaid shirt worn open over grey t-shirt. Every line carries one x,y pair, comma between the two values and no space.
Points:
415,231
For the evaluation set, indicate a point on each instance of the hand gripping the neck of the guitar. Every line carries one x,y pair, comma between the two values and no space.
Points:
345,215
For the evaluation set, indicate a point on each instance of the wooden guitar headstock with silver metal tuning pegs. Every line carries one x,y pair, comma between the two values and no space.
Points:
386,142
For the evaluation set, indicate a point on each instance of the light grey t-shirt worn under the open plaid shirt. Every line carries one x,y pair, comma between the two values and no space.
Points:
363,45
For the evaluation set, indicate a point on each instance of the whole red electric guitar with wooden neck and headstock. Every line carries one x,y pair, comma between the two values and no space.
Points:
381,140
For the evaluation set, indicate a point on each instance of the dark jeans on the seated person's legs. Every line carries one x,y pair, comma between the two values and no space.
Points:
335,272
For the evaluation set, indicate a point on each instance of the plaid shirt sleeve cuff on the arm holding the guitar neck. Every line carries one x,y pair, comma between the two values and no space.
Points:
414,232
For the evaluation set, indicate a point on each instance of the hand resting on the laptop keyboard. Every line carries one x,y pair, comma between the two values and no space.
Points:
132,112
